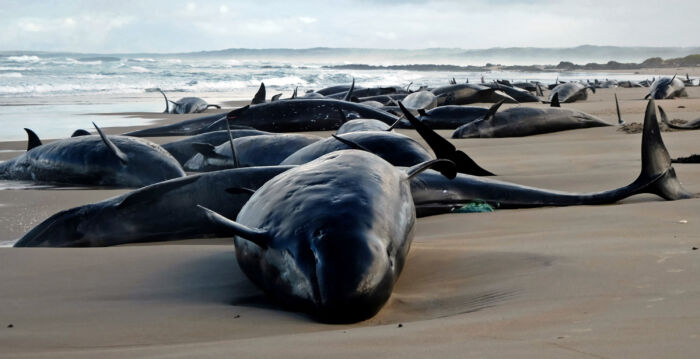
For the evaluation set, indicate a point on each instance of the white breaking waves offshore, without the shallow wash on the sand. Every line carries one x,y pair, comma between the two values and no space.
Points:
54,75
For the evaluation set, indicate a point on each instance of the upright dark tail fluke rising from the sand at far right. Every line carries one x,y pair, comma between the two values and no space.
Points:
658,175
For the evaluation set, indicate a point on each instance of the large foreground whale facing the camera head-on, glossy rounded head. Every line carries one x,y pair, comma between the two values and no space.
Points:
329,237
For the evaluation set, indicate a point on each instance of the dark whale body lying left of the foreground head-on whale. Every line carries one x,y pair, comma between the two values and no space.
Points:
163,211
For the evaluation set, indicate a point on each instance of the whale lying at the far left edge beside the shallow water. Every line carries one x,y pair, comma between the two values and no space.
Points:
96,160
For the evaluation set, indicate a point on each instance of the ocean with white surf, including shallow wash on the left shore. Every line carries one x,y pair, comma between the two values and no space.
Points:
24,77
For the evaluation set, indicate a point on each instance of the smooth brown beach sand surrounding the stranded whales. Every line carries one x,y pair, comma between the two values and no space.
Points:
614,281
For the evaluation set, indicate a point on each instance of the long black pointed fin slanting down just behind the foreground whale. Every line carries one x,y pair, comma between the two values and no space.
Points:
443,148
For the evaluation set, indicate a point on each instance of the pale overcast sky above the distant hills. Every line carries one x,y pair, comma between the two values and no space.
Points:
182,26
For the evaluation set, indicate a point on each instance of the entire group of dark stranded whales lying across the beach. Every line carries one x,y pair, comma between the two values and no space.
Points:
323,223
